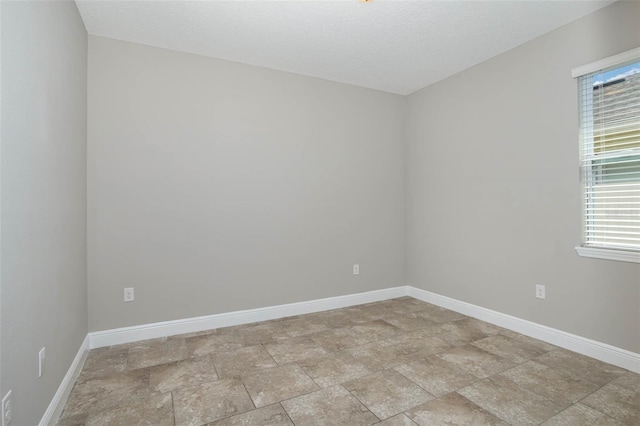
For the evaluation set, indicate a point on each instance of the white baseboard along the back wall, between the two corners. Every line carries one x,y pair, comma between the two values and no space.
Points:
118,336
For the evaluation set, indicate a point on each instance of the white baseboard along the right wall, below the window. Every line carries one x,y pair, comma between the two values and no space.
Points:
582,345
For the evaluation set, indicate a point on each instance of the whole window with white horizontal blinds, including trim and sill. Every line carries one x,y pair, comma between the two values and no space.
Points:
610,157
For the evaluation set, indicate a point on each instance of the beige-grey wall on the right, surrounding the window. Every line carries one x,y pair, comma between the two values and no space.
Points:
493,196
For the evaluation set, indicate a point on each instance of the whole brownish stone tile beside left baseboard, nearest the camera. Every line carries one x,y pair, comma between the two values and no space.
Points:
103,392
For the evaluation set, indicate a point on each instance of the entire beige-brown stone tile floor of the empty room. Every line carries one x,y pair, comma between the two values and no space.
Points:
396,362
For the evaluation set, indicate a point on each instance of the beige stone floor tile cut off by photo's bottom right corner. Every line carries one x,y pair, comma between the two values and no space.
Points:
619,402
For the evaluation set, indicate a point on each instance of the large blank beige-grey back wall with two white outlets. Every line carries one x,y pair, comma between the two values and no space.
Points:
216,186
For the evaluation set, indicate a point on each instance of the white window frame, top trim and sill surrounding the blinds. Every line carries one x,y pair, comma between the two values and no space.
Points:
617,254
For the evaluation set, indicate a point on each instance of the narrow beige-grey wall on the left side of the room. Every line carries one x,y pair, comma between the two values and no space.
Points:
44,285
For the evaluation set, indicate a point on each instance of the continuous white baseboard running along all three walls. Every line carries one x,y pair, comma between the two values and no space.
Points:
601,351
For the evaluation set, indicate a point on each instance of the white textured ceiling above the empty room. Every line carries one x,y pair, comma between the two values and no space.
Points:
394,46
